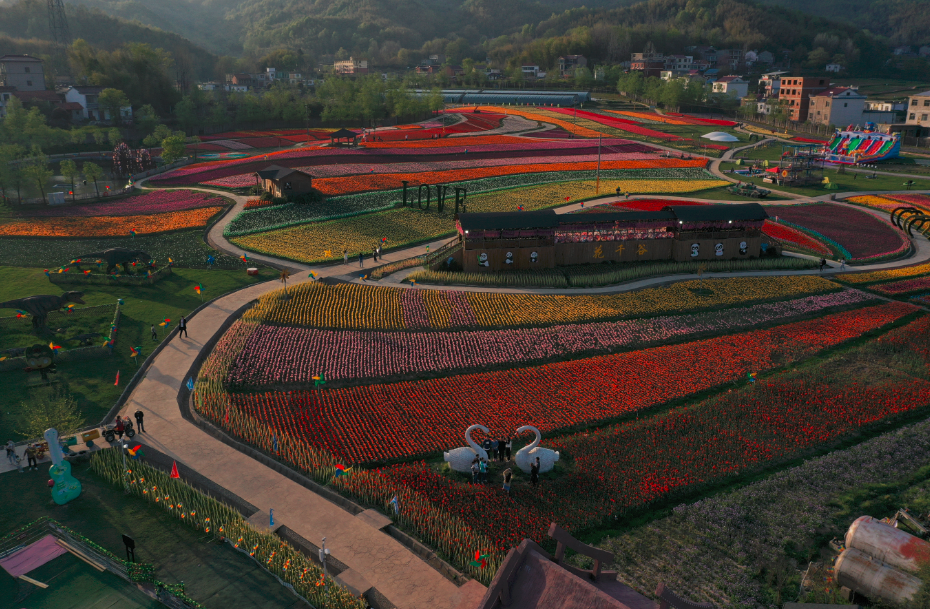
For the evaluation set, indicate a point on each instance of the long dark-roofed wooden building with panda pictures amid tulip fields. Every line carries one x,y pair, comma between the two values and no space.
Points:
544,239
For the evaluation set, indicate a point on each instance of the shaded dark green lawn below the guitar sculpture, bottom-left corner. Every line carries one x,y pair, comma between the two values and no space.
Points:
213,573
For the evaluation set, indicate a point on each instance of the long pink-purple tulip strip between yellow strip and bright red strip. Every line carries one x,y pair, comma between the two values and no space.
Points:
274,354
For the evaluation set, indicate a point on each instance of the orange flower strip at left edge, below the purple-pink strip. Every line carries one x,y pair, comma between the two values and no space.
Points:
109,226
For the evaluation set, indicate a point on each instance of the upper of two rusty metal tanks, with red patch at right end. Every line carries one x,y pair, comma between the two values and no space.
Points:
888,544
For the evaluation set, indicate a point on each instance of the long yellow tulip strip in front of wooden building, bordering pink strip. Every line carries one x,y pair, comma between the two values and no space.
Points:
368,307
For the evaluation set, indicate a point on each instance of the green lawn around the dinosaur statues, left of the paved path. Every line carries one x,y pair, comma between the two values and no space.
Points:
91,382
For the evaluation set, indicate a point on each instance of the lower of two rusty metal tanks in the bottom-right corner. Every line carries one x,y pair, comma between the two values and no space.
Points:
868,576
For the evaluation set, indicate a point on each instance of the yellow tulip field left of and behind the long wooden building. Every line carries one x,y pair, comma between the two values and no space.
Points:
310,242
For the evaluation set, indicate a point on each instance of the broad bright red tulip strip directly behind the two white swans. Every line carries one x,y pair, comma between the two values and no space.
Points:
375,422
